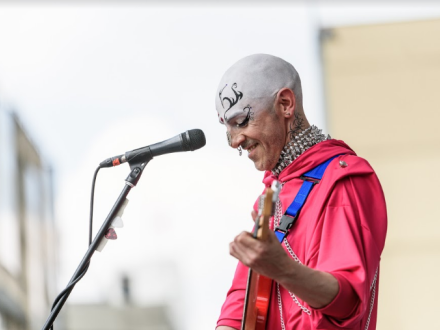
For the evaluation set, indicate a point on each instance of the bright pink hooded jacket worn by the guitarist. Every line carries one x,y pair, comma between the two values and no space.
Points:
340,230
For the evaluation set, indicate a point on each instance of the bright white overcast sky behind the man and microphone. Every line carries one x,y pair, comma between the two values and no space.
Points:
90,81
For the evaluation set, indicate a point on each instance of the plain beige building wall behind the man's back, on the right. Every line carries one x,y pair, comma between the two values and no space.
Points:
382,88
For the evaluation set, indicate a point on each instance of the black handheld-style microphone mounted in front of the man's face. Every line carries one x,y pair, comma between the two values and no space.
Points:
188,141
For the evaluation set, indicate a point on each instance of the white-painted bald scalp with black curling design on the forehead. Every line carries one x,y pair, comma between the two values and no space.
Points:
252,83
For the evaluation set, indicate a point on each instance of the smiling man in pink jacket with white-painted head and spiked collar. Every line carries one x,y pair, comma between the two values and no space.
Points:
326,270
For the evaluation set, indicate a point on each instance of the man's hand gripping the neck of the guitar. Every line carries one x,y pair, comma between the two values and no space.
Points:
267,257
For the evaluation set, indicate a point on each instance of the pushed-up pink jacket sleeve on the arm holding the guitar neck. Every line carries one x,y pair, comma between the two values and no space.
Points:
348,245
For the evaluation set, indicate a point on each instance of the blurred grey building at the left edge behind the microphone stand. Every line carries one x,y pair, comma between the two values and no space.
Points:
27,231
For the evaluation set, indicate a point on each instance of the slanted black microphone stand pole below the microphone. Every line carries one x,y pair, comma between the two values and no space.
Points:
136,171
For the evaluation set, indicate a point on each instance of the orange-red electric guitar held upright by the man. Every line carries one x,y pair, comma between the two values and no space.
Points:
259,287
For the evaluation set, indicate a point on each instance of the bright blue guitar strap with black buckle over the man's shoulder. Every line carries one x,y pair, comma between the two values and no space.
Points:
310,178
